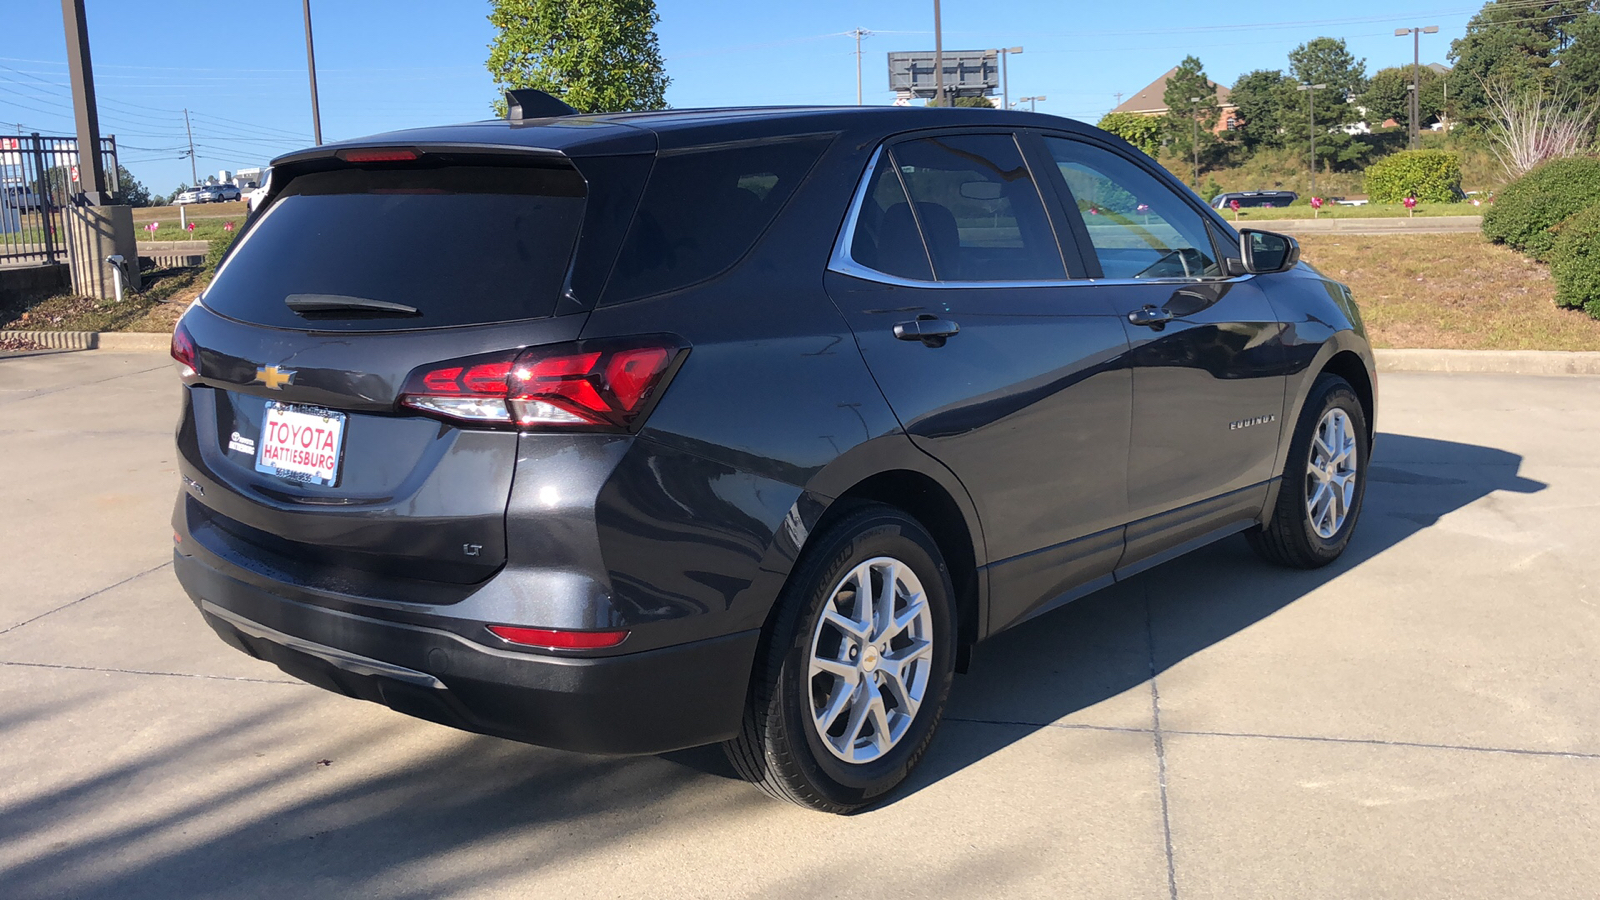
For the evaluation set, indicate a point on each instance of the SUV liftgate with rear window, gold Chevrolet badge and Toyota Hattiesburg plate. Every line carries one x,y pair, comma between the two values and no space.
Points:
297,448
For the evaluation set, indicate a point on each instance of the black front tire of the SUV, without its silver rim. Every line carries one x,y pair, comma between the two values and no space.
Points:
1289,539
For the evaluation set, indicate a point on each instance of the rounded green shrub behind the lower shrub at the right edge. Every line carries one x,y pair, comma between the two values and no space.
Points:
1526,209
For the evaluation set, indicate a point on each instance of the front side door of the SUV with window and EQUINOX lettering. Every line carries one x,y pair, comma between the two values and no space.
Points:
1206,348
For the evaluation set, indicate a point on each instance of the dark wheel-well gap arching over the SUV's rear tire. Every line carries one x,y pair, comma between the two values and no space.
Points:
926,500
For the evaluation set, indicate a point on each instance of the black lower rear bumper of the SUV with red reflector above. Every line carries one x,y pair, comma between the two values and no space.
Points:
649,702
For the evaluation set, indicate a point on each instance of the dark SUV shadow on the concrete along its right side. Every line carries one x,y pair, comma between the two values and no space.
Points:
1111,643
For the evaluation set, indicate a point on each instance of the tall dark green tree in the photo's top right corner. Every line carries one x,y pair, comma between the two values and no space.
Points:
1511,44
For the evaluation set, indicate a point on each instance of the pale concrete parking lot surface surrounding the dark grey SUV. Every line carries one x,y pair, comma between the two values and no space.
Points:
1420,720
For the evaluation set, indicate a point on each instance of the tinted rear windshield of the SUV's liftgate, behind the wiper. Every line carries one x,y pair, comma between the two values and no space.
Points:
462,246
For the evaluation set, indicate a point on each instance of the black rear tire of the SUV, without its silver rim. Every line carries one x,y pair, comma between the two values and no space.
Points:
778,749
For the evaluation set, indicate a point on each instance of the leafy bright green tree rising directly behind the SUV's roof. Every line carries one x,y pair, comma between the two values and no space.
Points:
596,55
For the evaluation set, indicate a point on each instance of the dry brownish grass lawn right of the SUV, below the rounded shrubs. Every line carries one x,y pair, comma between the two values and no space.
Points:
1450,292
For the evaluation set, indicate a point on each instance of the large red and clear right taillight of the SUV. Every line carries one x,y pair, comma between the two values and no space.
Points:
585,387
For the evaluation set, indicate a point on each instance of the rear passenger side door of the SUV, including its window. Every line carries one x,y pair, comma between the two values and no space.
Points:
954,283
